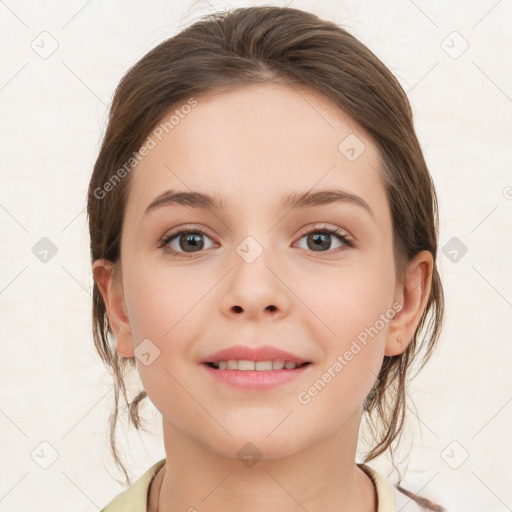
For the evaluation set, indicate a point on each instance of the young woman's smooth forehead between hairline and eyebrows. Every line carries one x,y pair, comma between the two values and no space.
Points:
253,144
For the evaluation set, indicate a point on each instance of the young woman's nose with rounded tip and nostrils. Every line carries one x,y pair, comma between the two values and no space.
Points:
255,290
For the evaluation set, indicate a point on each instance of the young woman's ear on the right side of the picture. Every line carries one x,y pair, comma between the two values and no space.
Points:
413,297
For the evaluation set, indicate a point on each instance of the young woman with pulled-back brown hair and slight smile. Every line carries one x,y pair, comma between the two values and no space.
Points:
263,238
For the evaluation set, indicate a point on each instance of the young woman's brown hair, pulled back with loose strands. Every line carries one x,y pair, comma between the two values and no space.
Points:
281,45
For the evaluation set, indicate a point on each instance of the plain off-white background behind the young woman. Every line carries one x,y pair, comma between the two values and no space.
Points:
453,60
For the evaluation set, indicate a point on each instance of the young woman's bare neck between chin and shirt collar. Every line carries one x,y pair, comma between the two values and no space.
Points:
322,477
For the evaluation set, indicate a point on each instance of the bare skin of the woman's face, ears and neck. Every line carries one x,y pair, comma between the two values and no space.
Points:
252,146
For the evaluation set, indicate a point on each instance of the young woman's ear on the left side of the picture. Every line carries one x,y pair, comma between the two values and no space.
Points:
112,292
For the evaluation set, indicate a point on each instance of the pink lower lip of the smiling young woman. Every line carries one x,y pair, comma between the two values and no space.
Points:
255,380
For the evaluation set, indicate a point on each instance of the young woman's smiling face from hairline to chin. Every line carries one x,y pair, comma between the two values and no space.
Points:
256,267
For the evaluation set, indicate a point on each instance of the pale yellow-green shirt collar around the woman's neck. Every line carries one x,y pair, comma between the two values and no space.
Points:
134,499
